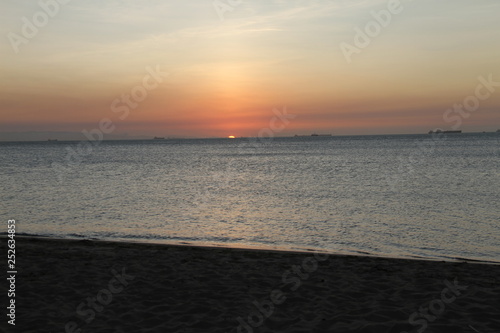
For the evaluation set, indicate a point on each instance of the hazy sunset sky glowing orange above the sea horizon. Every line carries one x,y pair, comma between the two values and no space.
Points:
205,68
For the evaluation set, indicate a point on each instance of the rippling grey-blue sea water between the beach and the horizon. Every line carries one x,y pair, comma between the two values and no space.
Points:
398,195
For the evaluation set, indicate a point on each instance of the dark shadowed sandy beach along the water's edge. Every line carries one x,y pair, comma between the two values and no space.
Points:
96,286
